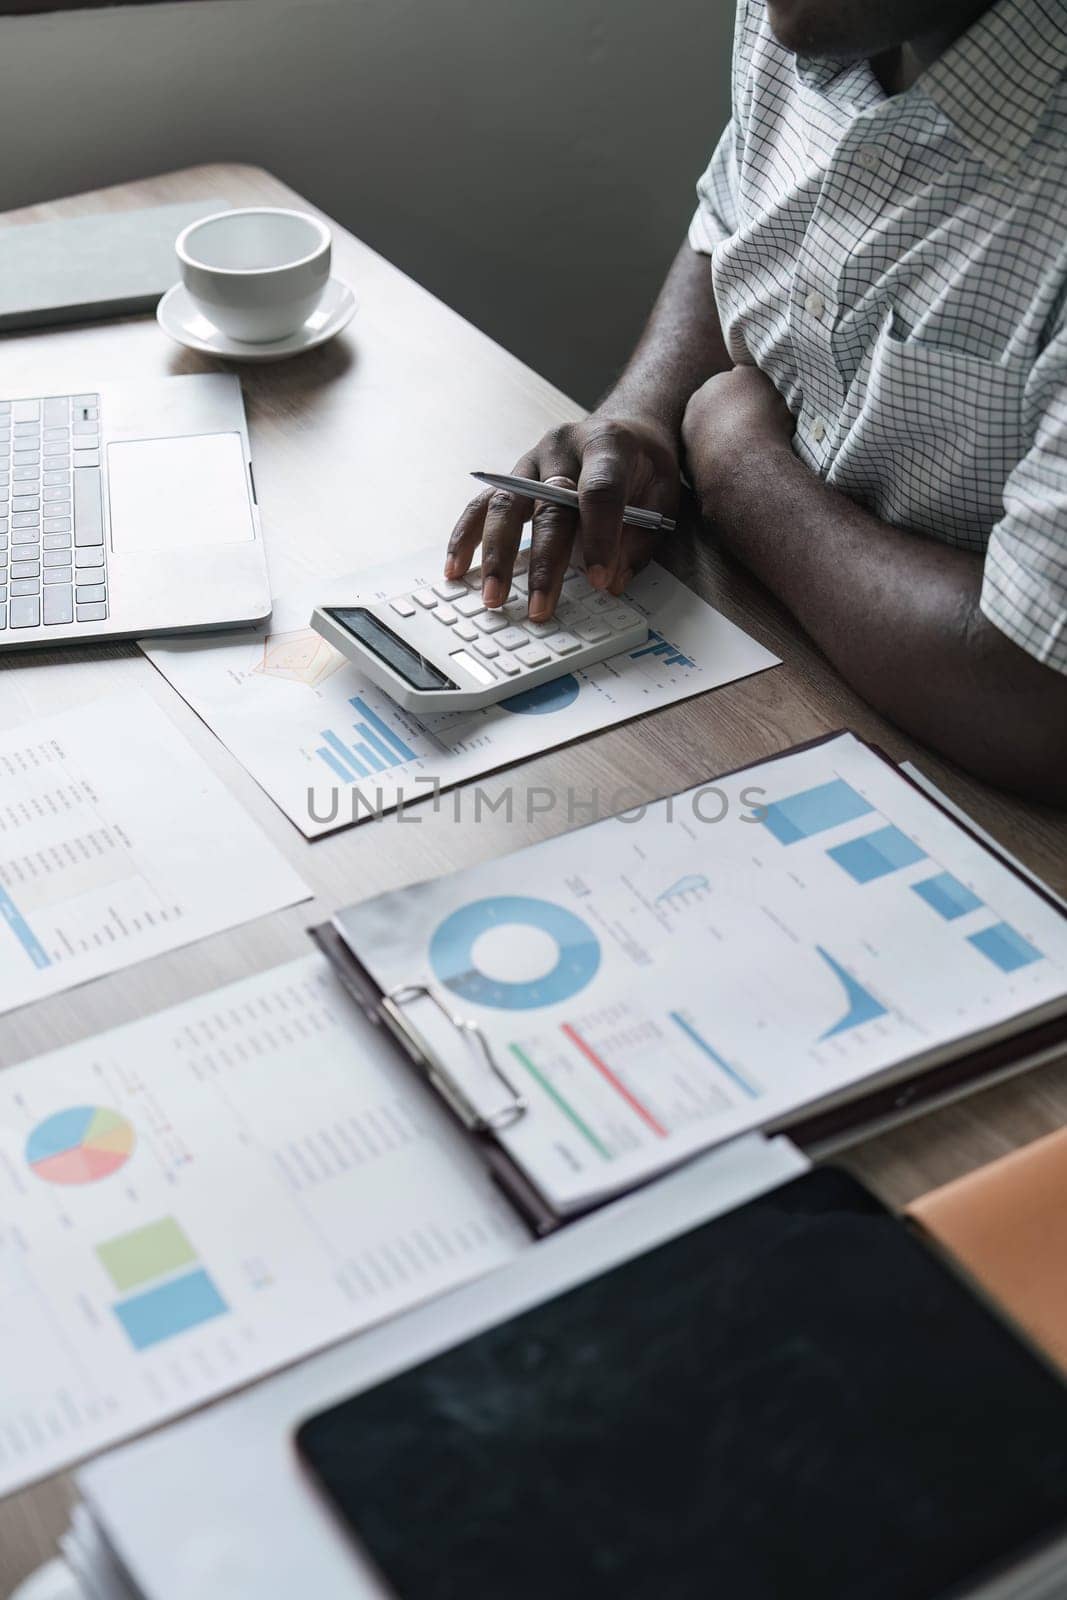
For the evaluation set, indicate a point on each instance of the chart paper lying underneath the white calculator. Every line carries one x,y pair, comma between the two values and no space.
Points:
330,748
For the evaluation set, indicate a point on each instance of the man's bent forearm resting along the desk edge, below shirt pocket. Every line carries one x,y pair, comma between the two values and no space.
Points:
900,618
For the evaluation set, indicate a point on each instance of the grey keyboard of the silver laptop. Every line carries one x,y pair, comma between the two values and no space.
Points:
54,569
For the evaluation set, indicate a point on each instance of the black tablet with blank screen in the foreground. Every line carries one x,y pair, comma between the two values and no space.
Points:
799,1401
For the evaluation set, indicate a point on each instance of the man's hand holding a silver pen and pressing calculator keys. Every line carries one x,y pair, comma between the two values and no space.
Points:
612,462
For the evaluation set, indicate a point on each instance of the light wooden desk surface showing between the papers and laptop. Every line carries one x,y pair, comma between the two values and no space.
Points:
361,450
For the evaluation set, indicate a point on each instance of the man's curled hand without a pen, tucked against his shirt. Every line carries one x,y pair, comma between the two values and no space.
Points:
733,417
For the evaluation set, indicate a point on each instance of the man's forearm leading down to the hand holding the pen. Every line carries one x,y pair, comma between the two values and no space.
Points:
681,350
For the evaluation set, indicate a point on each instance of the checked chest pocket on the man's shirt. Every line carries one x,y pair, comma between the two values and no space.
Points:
933,439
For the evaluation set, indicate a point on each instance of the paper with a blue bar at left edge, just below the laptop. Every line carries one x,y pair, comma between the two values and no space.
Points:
110,847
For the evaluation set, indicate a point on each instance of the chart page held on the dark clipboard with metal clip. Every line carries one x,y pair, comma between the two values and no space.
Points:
719,962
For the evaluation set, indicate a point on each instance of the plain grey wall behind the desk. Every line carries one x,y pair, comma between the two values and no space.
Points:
530,161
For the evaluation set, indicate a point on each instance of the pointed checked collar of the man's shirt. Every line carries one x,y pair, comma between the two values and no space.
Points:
996,81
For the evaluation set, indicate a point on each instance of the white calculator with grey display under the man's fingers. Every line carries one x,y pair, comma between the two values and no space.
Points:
439,649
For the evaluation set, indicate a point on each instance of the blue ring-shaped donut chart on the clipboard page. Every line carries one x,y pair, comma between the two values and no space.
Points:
454,954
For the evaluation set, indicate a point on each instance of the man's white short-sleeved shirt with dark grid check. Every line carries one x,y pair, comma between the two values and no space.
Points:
898,266
